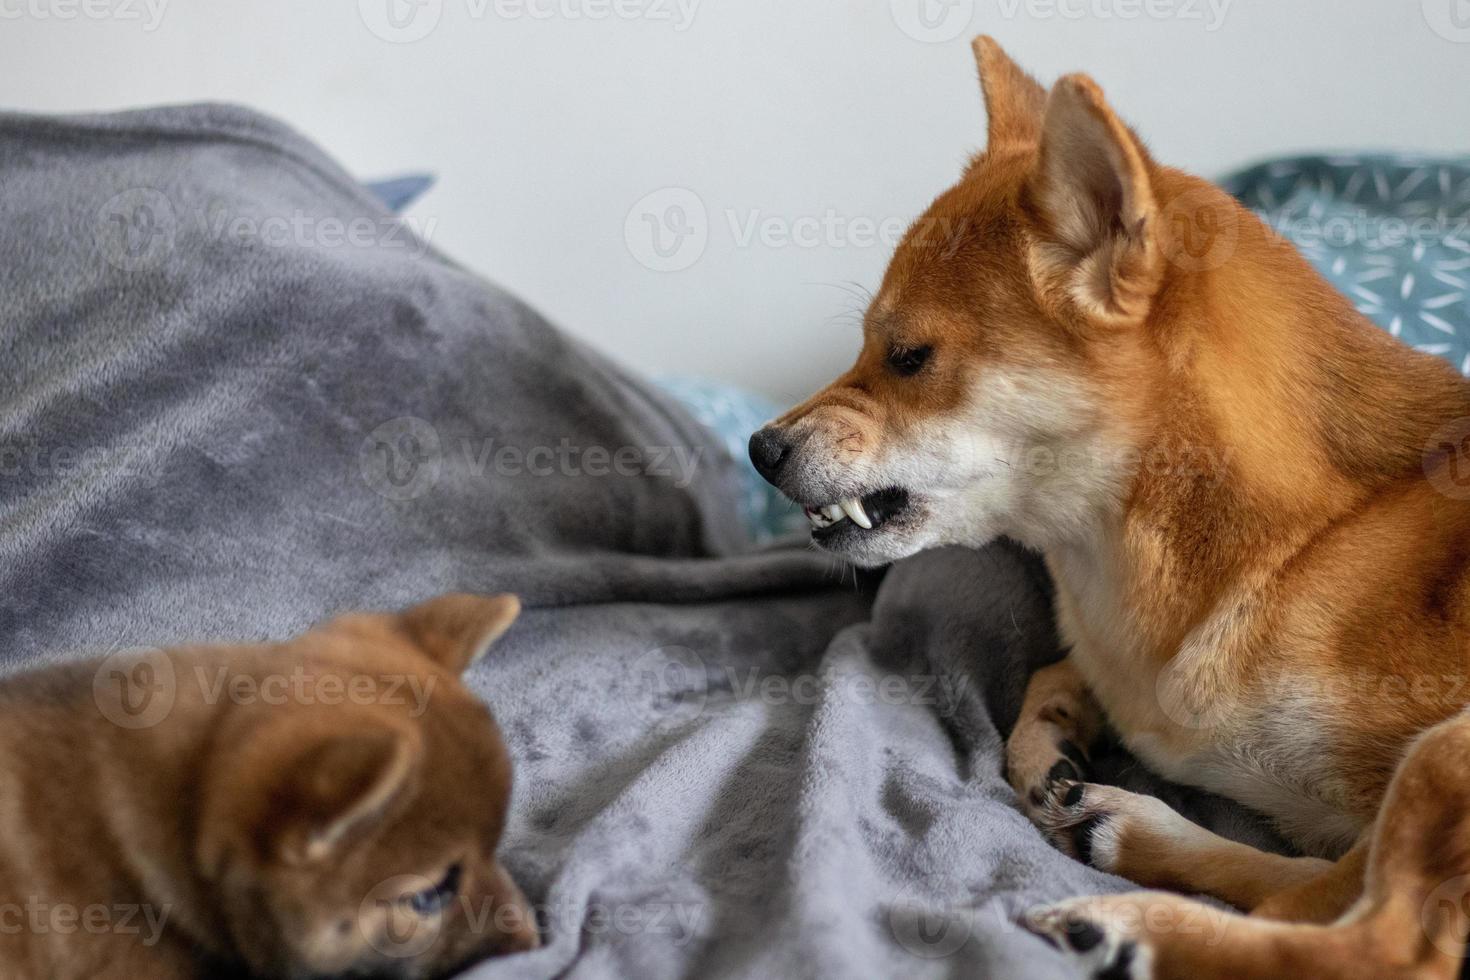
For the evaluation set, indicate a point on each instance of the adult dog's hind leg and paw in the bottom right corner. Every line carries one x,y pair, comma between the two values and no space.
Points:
1409,923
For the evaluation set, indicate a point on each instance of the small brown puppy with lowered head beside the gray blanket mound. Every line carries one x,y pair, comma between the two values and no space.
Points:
324,807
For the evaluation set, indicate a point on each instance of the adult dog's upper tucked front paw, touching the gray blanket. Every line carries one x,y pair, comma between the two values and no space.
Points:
1059,722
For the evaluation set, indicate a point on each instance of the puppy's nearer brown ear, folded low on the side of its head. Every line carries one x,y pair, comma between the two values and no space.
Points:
299,790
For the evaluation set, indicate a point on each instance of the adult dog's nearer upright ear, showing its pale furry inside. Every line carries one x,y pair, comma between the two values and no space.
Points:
1093,206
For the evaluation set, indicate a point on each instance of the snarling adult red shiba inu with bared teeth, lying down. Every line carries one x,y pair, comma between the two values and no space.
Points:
1247,497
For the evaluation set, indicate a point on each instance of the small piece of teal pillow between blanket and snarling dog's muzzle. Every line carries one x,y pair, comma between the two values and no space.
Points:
734,414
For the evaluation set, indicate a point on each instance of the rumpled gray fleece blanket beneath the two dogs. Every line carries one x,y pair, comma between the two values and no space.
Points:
239,396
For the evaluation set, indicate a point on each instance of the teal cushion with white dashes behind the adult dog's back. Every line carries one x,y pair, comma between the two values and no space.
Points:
1391,231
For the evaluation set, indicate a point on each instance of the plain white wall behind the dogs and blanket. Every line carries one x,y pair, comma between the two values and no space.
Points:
549,130
